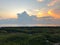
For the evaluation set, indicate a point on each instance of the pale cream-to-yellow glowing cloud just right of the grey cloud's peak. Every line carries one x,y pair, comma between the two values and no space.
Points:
39,12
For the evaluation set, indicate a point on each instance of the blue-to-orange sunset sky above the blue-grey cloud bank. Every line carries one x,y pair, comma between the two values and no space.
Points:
40,8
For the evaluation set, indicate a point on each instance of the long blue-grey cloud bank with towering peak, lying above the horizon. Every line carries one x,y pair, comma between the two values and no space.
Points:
25,19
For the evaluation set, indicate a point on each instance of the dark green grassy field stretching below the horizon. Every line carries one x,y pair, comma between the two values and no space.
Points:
29,35
